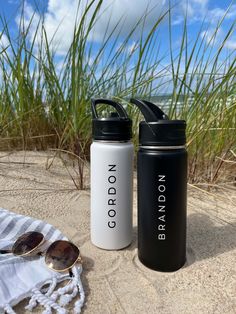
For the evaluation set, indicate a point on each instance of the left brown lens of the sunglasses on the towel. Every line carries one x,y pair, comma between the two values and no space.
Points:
27,243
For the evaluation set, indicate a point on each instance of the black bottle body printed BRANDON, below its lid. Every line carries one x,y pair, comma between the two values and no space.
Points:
162,189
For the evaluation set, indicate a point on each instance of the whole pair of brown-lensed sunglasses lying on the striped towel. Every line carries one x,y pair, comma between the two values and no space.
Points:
60,256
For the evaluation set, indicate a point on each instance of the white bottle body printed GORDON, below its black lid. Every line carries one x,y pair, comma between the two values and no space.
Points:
111,194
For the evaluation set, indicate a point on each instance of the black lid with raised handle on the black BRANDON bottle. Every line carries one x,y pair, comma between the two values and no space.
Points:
157,129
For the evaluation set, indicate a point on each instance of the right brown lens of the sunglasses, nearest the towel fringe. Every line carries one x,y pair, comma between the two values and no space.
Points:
61,255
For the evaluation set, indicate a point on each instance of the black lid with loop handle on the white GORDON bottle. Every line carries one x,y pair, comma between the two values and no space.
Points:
116,127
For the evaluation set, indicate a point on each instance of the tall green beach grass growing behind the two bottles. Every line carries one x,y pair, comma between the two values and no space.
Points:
45,103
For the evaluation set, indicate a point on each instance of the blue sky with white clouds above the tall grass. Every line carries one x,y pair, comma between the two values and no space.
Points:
60,17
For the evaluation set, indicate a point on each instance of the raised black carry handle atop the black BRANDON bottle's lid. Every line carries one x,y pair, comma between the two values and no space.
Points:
150,111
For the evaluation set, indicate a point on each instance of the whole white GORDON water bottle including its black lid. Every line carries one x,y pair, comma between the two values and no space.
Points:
111,178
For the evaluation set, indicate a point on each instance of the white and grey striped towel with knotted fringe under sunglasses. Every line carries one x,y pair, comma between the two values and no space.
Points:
23,277
